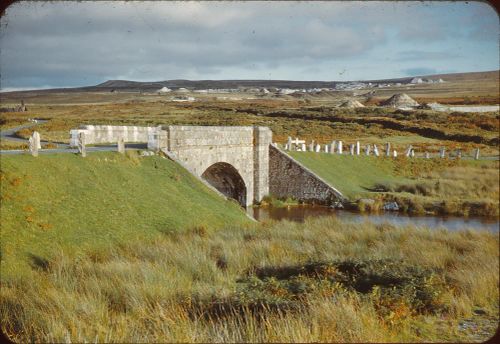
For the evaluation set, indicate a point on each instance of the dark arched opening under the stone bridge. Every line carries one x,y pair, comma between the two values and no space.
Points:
225,178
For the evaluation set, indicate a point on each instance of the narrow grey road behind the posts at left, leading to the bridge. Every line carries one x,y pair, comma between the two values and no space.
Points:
10,135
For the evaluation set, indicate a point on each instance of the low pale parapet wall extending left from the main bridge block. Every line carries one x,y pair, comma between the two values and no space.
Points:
95,134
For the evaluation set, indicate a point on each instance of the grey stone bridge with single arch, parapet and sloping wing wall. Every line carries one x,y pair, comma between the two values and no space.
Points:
240,162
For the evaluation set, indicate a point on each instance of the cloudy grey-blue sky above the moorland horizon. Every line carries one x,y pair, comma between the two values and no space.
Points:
71,44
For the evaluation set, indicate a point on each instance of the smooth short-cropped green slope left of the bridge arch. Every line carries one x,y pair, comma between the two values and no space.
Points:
62,202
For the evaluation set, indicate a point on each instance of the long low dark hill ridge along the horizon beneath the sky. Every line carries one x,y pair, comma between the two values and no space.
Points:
139,86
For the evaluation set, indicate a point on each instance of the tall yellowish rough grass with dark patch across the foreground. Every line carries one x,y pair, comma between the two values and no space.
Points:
321,281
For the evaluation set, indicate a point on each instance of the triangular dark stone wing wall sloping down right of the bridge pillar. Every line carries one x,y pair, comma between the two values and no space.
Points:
289,178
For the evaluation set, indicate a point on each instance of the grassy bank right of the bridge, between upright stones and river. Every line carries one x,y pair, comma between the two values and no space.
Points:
439,186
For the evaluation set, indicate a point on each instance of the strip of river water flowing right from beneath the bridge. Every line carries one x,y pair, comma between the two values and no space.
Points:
299,213
